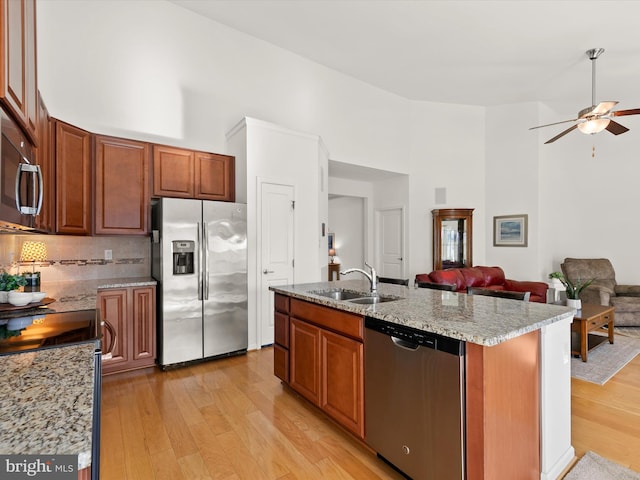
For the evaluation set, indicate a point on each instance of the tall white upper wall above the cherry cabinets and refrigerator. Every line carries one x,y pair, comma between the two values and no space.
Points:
149,69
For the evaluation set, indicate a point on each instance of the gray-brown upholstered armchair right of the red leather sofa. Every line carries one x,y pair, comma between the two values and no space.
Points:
605,290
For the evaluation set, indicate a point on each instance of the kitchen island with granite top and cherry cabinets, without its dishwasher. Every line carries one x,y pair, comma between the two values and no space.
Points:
516,366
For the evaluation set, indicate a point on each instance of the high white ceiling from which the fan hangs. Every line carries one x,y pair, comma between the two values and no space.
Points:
475,52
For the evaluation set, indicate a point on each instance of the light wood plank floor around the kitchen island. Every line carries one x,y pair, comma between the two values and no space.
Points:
232,419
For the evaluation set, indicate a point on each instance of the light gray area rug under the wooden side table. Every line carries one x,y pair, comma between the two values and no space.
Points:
604,361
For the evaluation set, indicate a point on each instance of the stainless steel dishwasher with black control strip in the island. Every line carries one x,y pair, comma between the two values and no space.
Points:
414,400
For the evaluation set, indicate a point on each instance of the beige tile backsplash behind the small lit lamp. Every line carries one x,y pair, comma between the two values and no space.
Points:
80,258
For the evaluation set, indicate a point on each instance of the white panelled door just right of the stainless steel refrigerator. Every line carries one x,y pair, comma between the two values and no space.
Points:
276,250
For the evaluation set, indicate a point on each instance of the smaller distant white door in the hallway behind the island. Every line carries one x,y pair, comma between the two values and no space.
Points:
390,242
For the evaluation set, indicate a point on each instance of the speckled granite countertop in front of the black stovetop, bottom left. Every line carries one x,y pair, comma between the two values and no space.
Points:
47,402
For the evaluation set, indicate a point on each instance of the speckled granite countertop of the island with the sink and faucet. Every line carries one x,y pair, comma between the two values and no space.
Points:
473,318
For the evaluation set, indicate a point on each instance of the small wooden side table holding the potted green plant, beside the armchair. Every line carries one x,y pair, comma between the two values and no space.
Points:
590,318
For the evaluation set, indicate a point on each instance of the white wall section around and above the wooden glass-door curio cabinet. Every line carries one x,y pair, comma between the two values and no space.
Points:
447,151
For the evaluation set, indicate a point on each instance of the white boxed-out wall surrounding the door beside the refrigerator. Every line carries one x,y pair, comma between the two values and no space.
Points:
273,154
